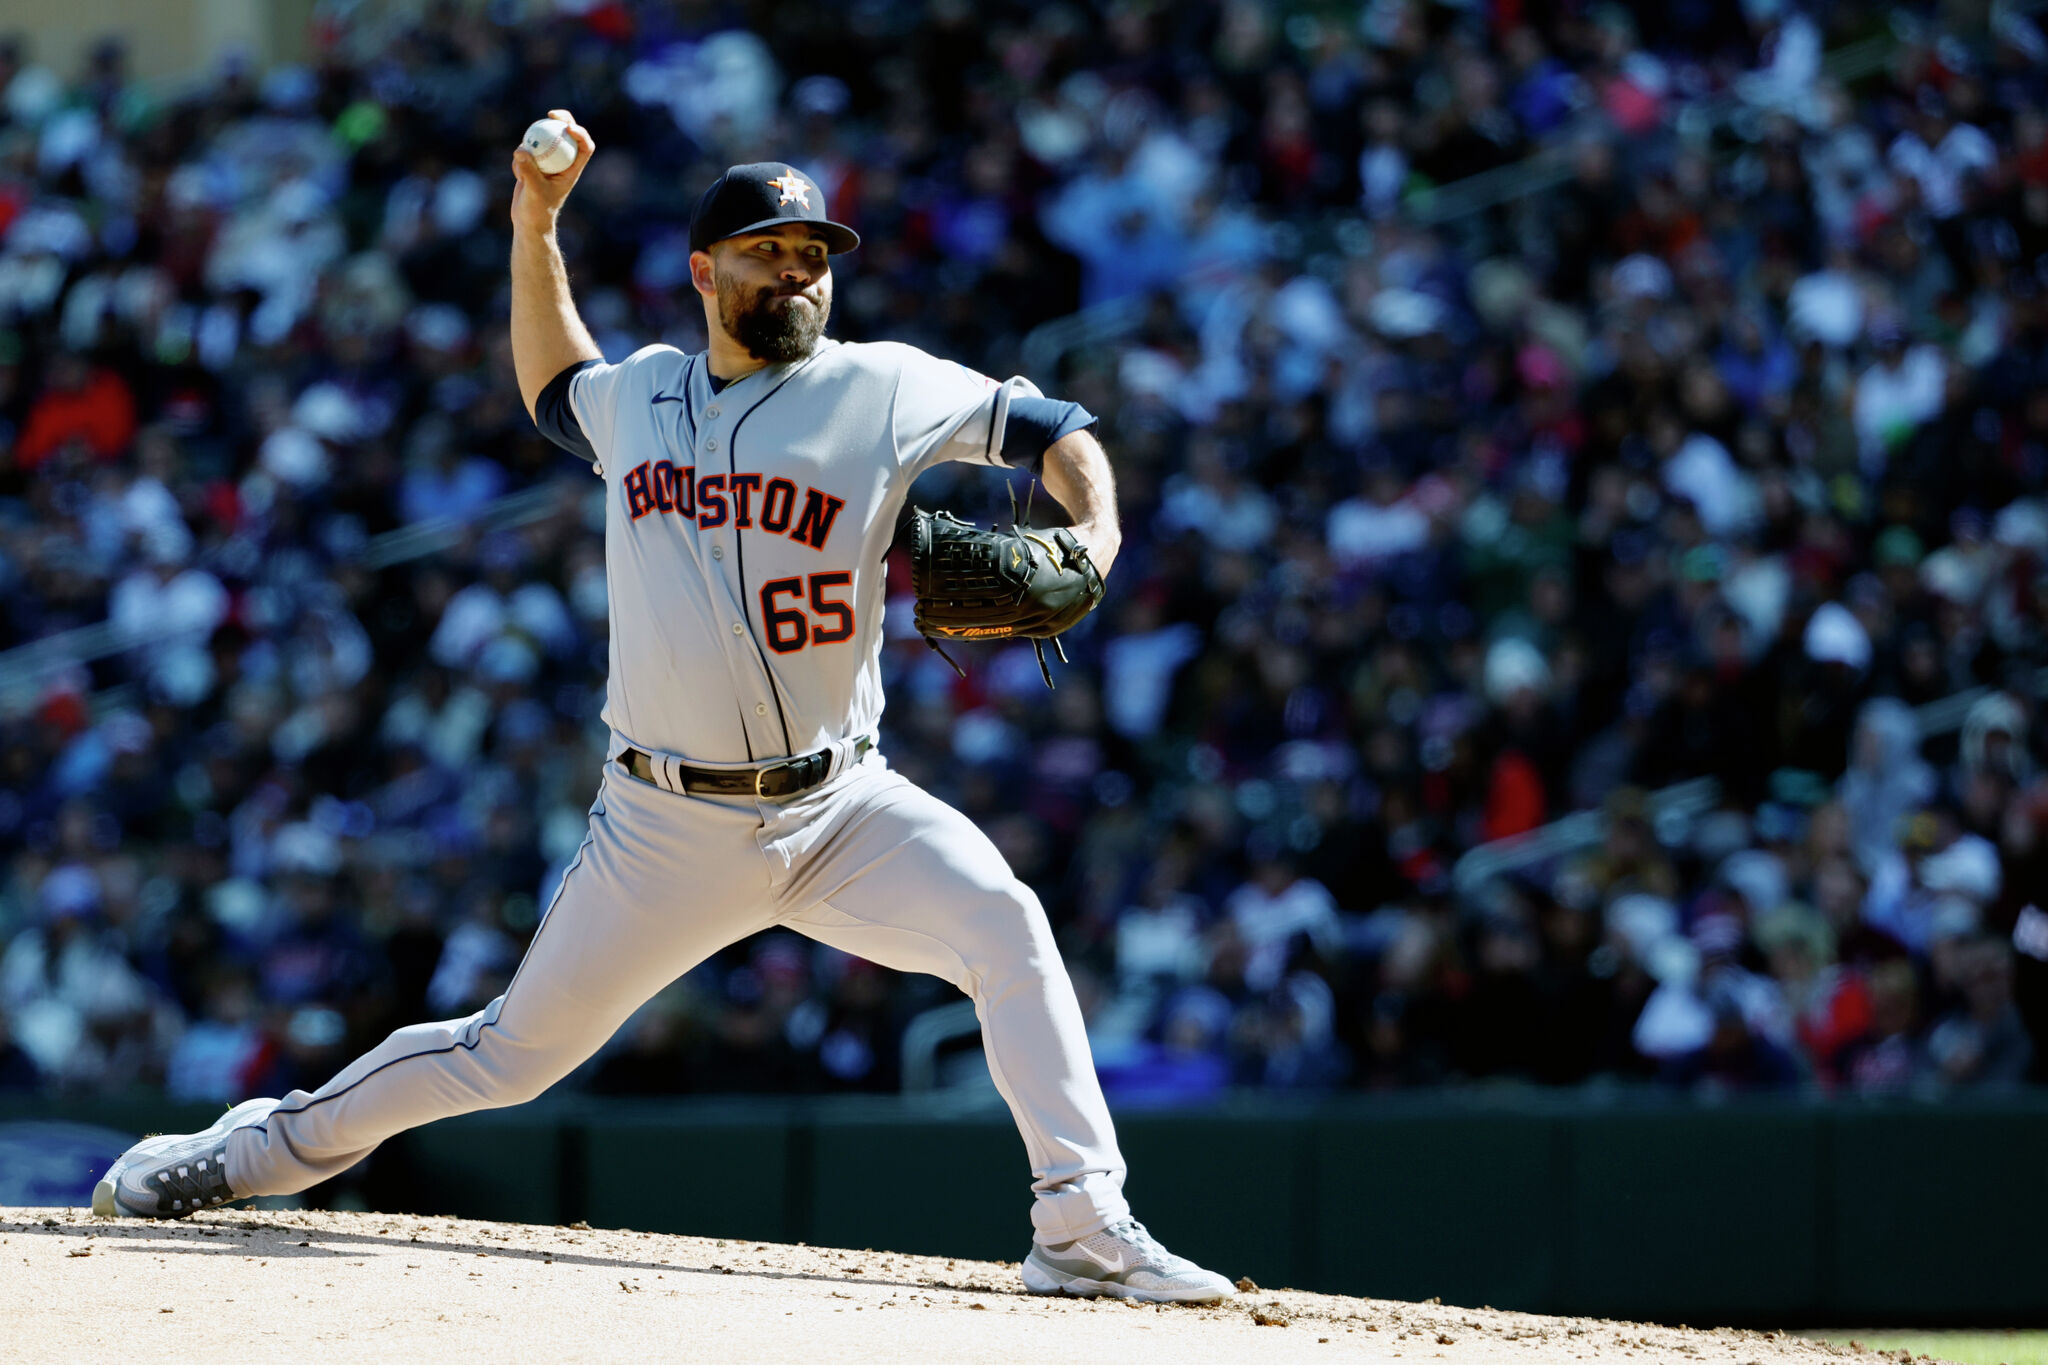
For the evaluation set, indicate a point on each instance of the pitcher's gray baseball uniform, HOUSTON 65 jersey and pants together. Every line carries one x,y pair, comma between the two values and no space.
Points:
744,554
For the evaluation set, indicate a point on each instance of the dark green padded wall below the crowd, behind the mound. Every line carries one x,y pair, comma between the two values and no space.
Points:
1668,1210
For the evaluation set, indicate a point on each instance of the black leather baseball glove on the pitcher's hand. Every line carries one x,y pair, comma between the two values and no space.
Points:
996,584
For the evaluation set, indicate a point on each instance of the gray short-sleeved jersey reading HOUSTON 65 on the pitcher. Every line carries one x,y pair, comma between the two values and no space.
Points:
744,535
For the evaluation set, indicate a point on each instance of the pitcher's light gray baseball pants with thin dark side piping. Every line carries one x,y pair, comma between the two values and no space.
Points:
867,863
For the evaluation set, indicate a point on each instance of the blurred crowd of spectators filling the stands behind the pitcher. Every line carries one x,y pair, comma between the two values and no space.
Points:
1703,439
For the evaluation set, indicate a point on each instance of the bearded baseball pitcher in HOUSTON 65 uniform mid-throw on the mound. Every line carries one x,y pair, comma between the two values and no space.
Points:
753,494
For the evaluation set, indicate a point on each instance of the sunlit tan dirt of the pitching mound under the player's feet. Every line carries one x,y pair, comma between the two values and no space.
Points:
366,1286
